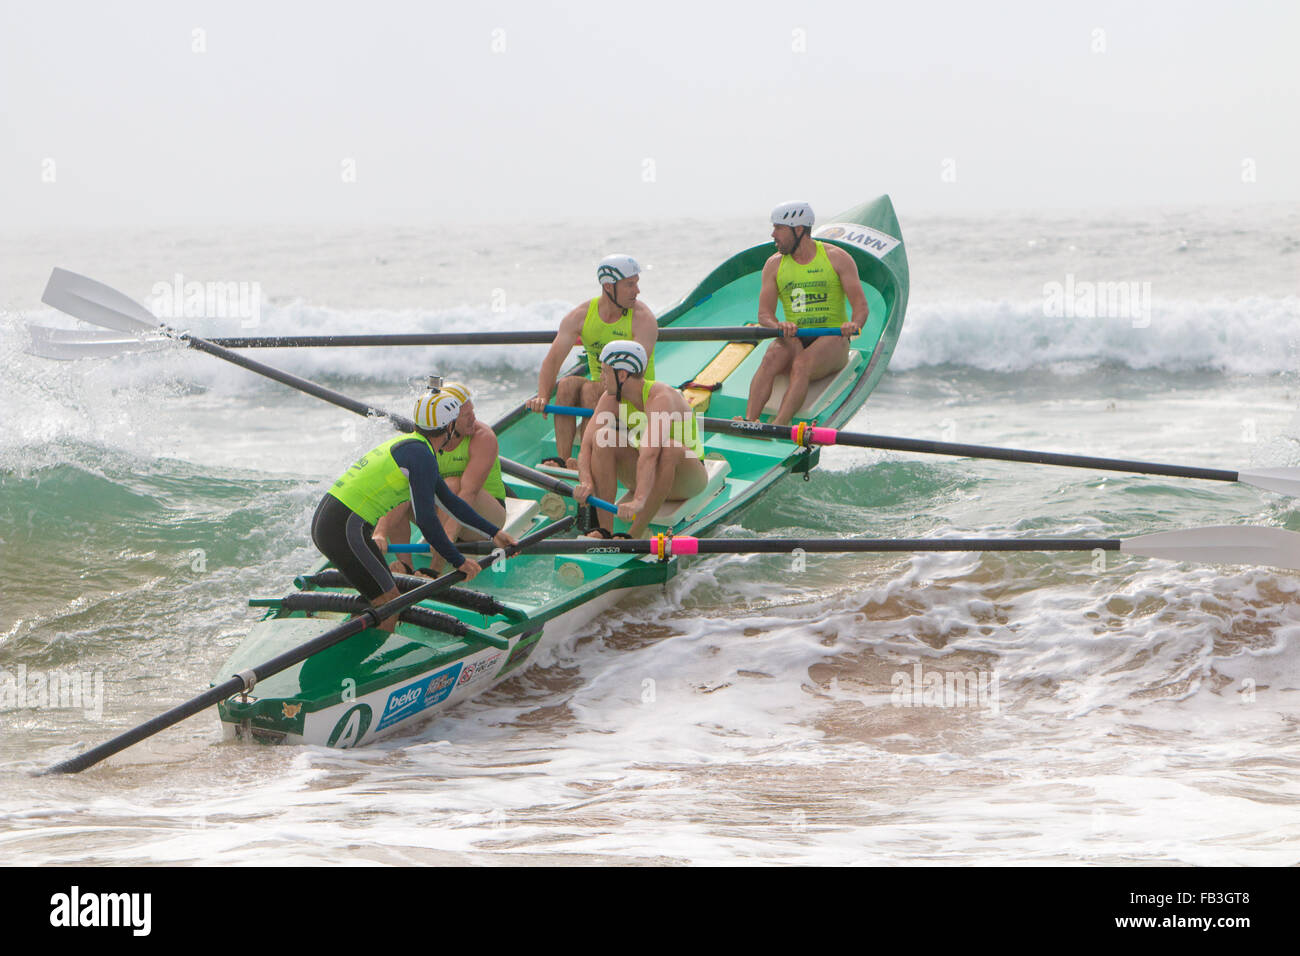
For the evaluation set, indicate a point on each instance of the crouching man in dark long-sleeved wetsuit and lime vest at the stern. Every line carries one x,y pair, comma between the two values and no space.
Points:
402,469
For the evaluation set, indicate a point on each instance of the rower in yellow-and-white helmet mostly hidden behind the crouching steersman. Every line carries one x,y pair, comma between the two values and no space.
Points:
470,462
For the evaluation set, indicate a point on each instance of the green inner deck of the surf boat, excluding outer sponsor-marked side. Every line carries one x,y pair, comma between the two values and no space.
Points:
535,587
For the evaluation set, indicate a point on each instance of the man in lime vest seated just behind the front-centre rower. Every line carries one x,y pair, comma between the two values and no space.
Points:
616,314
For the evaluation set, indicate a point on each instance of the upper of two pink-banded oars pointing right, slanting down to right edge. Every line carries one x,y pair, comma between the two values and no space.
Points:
1282,481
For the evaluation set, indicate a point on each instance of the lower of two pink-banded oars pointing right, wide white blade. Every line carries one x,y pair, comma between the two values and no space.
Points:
1228,544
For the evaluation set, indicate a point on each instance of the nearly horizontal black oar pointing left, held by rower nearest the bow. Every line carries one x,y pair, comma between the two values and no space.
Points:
64,344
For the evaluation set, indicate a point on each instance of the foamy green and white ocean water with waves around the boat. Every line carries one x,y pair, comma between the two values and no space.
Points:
860,710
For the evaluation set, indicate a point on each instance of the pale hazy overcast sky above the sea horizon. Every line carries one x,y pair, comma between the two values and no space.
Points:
158,114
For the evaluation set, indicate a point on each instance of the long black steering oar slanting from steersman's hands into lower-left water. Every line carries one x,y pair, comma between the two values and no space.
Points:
245,682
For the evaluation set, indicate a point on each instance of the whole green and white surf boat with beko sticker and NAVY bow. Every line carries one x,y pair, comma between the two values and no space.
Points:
376,685
